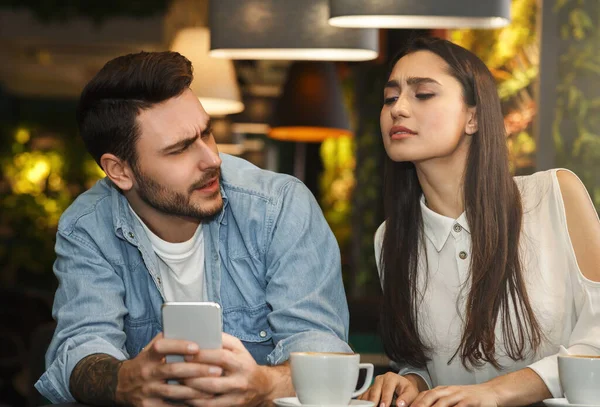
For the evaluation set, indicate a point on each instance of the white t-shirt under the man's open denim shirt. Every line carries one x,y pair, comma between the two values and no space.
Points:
181,265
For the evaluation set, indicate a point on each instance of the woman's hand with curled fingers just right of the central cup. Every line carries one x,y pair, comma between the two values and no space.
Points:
390,386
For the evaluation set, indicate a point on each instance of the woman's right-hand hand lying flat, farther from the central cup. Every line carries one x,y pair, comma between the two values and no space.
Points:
477,395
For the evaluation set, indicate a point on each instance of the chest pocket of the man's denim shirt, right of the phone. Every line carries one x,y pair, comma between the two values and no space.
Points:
250,325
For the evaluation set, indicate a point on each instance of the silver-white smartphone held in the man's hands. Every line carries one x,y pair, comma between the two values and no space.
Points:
199,322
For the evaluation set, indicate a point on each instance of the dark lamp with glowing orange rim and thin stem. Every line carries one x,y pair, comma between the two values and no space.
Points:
310,109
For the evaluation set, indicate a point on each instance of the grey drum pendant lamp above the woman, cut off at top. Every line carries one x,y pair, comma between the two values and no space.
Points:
420,13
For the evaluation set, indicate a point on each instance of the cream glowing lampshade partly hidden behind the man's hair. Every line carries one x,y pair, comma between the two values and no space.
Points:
214,82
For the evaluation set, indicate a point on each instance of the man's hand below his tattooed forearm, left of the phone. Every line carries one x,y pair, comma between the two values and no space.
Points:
142,380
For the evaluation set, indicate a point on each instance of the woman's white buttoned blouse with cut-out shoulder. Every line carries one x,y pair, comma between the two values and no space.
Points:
566,303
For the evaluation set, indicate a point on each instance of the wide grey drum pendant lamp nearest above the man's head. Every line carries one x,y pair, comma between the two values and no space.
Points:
285,30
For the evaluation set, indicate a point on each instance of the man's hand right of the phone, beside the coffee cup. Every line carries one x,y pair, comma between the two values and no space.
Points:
244,383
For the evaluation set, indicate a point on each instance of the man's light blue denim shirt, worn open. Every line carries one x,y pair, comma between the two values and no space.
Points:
271,262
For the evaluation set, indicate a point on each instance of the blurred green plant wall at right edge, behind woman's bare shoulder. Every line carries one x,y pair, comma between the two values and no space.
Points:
576,126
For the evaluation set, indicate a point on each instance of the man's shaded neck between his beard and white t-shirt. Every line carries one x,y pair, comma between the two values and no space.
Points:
170,228
